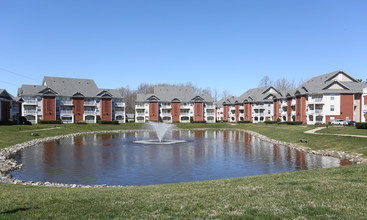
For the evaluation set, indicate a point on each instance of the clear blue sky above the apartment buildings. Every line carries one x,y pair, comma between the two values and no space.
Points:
227,45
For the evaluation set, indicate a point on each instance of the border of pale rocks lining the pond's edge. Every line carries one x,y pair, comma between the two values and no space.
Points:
8,164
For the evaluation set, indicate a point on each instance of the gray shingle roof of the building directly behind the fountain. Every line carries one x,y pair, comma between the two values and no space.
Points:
171,93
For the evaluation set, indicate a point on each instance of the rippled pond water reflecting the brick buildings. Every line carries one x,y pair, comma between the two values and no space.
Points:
114,159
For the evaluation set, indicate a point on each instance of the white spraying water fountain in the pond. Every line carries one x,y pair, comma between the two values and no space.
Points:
160,130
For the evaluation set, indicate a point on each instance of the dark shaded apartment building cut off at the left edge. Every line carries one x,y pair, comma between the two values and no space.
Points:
9,106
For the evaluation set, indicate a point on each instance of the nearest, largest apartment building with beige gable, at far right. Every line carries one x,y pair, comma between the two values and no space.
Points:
322,99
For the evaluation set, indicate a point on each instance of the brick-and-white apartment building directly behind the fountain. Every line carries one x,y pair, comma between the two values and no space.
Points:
174,104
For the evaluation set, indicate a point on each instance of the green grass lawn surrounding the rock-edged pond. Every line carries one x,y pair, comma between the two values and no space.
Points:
335,193
